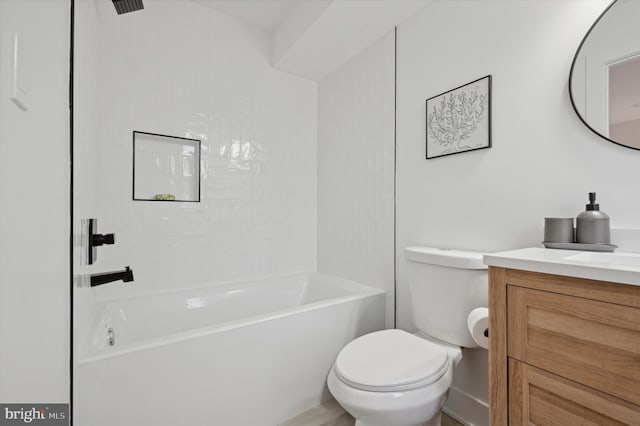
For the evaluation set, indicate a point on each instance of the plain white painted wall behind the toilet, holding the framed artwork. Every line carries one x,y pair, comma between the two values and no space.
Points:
543,160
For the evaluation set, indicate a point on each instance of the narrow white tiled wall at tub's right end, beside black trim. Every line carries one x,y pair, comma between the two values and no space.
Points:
356,170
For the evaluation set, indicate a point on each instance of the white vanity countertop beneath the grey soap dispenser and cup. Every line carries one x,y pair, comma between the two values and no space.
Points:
553,261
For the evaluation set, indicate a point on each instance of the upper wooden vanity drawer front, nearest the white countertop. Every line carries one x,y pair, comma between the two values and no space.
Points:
587,341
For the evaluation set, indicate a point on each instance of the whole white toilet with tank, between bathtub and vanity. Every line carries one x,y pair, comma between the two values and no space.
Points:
395,378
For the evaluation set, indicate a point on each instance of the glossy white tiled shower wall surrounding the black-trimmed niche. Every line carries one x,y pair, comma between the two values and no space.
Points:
181,69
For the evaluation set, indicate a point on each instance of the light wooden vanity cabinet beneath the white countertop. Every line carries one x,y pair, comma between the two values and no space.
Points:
562,351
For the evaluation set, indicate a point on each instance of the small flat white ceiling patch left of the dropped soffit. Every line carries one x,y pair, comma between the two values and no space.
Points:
266,14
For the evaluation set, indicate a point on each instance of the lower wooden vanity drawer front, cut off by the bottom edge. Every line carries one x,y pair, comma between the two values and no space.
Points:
537,397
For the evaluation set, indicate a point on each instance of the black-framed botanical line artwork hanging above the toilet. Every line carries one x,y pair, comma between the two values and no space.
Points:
459,120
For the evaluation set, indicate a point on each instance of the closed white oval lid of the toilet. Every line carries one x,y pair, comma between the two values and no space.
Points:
390,360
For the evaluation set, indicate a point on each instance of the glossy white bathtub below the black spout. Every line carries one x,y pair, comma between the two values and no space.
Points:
253,353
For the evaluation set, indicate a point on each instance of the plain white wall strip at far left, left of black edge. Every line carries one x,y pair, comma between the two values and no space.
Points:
34,206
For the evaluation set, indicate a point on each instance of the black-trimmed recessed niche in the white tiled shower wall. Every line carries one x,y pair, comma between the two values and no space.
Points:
165,168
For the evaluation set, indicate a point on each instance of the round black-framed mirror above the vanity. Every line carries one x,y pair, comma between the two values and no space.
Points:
604,83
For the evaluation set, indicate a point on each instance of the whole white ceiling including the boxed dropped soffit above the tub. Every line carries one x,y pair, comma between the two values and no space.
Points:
311,38
